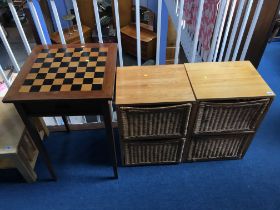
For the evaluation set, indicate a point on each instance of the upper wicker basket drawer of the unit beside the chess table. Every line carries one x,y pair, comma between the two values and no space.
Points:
153,122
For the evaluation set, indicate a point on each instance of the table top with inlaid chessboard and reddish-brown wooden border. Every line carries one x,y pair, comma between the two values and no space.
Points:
65,72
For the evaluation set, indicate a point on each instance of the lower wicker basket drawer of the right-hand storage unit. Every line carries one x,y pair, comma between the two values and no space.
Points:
213,147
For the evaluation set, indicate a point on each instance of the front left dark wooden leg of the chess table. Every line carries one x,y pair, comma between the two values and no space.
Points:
36,138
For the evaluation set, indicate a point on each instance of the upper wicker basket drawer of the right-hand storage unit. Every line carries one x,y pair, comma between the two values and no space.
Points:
232,116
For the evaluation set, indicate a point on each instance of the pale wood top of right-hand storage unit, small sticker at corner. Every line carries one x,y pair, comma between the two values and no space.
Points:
227,80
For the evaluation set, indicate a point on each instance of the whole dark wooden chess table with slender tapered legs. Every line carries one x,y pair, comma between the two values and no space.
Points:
61,80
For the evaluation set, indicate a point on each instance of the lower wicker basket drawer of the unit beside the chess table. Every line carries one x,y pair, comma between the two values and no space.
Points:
152,152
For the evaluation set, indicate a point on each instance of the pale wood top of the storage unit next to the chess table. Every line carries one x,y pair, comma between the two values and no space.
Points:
153,84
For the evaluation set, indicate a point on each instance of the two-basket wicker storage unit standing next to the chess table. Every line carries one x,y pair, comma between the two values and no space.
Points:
154,104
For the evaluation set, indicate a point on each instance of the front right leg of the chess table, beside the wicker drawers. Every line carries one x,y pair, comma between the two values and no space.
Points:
110,135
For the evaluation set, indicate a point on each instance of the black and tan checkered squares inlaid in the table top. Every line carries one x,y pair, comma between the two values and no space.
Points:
67,69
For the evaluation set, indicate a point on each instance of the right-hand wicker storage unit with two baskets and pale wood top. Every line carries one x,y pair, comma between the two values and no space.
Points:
232,100
